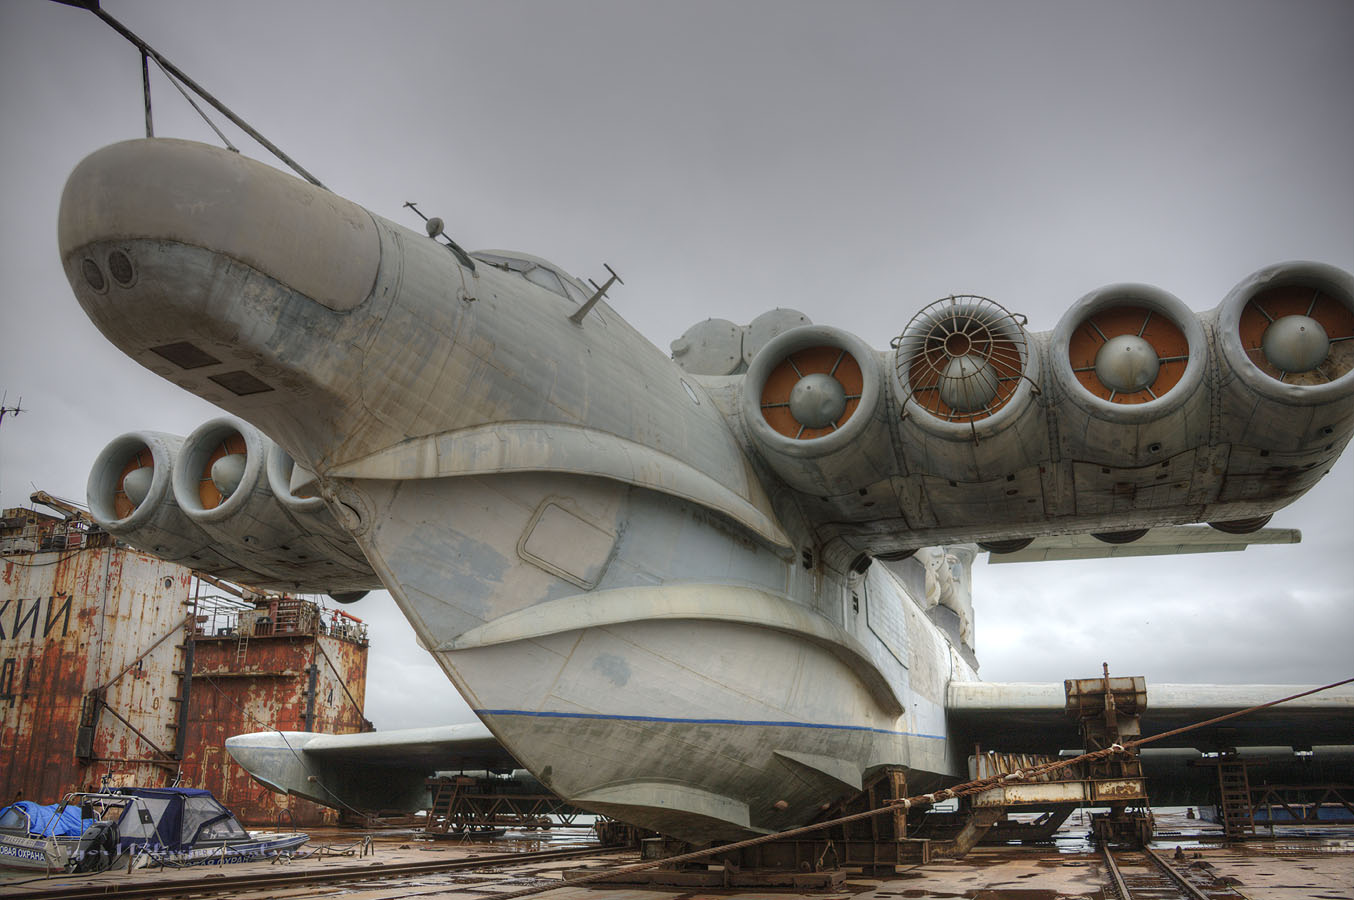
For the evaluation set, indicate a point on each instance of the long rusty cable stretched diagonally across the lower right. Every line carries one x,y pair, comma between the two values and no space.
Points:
966,790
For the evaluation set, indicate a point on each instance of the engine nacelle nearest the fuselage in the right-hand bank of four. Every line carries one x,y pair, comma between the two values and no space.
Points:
813,403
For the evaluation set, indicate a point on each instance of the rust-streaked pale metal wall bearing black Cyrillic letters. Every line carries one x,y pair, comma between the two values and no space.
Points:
72,623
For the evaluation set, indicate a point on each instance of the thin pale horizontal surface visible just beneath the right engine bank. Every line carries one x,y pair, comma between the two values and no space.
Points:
1160,542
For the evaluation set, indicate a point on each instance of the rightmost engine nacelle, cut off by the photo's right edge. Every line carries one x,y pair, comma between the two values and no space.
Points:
1287,343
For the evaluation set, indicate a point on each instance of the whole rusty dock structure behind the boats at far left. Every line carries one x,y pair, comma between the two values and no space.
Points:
118,668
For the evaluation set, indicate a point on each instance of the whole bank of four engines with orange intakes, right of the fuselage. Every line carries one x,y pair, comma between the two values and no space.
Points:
1134,412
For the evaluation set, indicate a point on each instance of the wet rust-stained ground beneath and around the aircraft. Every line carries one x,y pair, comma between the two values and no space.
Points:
1291,865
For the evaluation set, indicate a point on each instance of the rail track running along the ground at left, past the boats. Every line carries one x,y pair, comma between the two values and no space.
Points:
211,884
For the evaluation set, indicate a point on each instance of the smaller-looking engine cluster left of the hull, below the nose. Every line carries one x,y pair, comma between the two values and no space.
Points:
221,503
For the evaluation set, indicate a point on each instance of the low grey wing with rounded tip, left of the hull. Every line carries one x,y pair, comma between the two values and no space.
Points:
372,771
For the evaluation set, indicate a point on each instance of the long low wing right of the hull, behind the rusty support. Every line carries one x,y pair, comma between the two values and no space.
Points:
1030,718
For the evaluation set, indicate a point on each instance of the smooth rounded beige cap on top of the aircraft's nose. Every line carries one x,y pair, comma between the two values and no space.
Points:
182,193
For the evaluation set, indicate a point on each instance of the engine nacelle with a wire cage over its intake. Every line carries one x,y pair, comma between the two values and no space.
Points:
967,376
